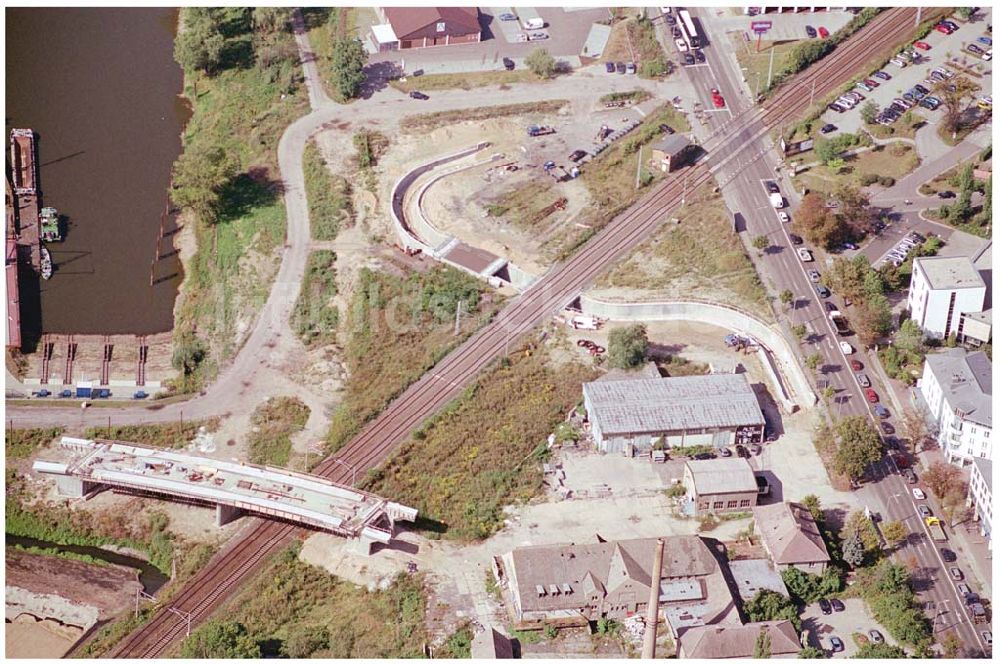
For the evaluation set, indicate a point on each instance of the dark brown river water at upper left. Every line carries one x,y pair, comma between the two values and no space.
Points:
101,89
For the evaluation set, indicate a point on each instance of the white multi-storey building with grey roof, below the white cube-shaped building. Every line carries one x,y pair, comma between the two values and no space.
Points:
957,387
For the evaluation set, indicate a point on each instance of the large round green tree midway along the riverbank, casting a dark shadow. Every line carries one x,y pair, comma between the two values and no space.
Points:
200,174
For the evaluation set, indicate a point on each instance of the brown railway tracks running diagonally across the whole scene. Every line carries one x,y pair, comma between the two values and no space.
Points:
247,552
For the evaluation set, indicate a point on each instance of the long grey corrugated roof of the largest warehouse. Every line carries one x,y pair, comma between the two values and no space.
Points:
673,403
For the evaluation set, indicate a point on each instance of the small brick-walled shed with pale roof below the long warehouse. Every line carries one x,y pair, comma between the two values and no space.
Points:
720,485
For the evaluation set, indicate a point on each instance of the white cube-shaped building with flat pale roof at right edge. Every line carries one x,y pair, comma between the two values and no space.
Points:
942,290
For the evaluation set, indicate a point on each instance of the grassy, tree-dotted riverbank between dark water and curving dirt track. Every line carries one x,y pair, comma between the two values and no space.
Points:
231,248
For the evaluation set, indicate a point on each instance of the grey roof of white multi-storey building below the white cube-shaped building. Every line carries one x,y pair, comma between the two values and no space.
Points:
966,381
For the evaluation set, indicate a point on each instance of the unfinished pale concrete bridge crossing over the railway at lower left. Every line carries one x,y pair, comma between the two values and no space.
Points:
234,488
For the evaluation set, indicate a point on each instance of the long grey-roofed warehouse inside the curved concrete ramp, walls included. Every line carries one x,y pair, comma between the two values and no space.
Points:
640,414
